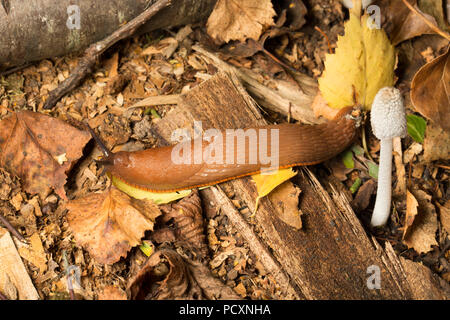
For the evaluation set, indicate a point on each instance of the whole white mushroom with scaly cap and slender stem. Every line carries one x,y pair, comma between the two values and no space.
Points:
388,121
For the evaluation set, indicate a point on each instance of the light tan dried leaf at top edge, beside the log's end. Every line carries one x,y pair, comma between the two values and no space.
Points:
239,20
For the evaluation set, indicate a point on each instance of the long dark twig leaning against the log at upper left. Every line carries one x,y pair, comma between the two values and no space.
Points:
95,50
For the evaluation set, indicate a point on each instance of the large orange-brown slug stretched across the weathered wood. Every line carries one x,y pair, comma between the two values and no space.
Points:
229,154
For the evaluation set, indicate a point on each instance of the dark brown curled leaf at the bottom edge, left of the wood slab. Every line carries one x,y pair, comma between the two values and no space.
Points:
165,275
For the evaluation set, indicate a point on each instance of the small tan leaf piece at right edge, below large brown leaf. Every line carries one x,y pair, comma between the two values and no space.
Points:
436,145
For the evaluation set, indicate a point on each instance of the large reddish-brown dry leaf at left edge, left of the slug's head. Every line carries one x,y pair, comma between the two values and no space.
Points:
31,145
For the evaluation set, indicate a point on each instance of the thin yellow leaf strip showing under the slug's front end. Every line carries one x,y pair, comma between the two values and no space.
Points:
156,197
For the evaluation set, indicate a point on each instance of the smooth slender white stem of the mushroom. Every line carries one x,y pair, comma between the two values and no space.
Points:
383,200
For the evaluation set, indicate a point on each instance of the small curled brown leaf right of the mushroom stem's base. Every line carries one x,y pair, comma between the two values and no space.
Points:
421,234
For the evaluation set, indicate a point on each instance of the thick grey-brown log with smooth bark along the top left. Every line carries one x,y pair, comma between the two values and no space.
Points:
37,29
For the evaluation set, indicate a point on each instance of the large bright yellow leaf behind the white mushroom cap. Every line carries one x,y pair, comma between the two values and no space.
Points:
362,64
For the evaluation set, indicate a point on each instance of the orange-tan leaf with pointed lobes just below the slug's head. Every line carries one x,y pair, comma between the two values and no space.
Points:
108,224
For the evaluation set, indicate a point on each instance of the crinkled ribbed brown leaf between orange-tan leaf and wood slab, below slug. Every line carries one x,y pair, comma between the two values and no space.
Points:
186,216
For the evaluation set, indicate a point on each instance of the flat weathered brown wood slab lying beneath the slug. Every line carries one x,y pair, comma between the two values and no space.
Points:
332,257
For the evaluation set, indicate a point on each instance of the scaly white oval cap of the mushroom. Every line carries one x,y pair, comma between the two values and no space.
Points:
388,114
